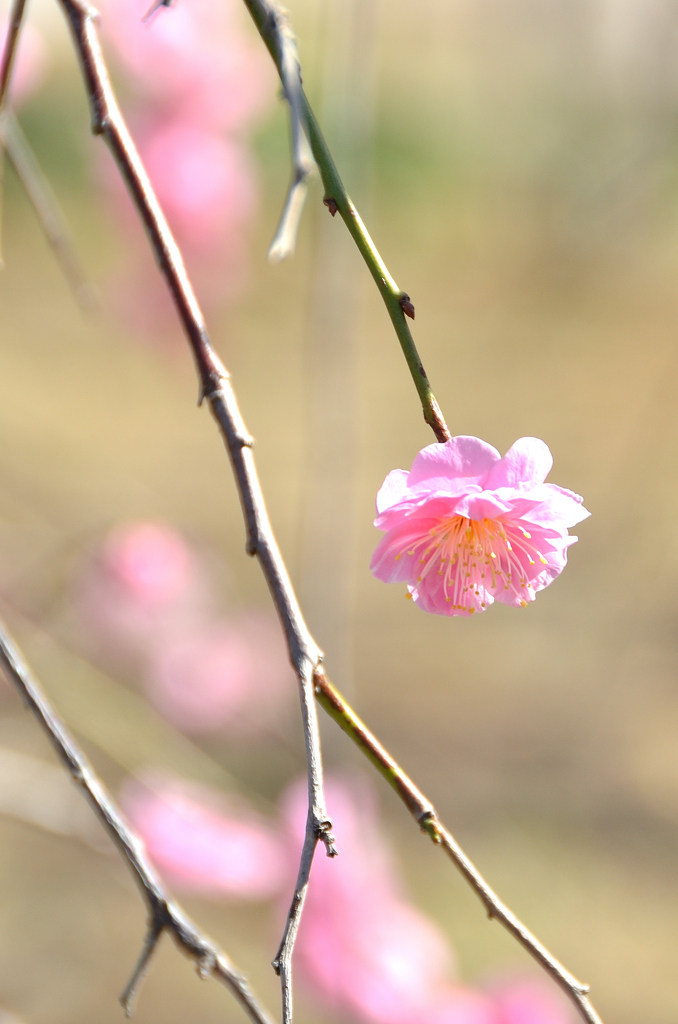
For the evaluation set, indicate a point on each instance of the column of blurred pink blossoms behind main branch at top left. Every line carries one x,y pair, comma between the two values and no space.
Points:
197,86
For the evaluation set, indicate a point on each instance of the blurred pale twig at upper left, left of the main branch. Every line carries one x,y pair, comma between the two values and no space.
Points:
48,210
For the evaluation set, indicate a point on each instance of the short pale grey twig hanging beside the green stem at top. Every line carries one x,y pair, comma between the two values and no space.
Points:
303,164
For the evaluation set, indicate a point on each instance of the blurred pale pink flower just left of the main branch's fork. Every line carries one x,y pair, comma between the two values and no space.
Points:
234,674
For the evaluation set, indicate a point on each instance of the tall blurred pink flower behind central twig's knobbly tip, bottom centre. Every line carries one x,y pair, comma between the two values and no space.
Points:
362,948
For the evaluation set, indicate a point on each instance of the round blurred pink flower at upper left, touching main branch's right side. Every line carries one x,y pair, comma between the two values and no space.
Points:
205,183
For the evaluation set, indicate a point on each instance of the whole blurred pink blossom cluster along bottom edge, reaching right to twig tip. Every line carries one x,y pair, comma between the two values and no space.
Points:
363,950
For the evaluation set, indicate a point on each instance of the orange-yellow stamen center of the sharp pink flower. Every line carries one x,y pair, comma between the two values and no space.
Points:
477,558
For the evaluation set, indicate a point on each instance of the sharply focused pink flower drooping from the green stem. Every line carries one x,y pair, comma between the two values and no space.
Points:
465,528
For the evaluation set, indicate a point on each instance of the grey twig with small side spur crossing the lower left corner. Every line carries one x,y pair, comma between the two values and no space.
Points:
164,914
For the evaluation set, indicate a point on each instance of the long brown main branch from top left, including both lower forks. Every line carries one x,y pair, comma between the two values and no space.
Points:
306,656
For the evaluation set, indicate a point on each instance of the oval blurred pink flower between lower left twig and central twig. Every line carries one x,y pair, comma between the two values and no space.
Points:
204,846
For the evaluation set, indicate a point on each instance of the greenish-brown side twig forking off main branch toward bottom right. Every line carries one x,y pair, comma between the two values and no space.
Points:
425,815
